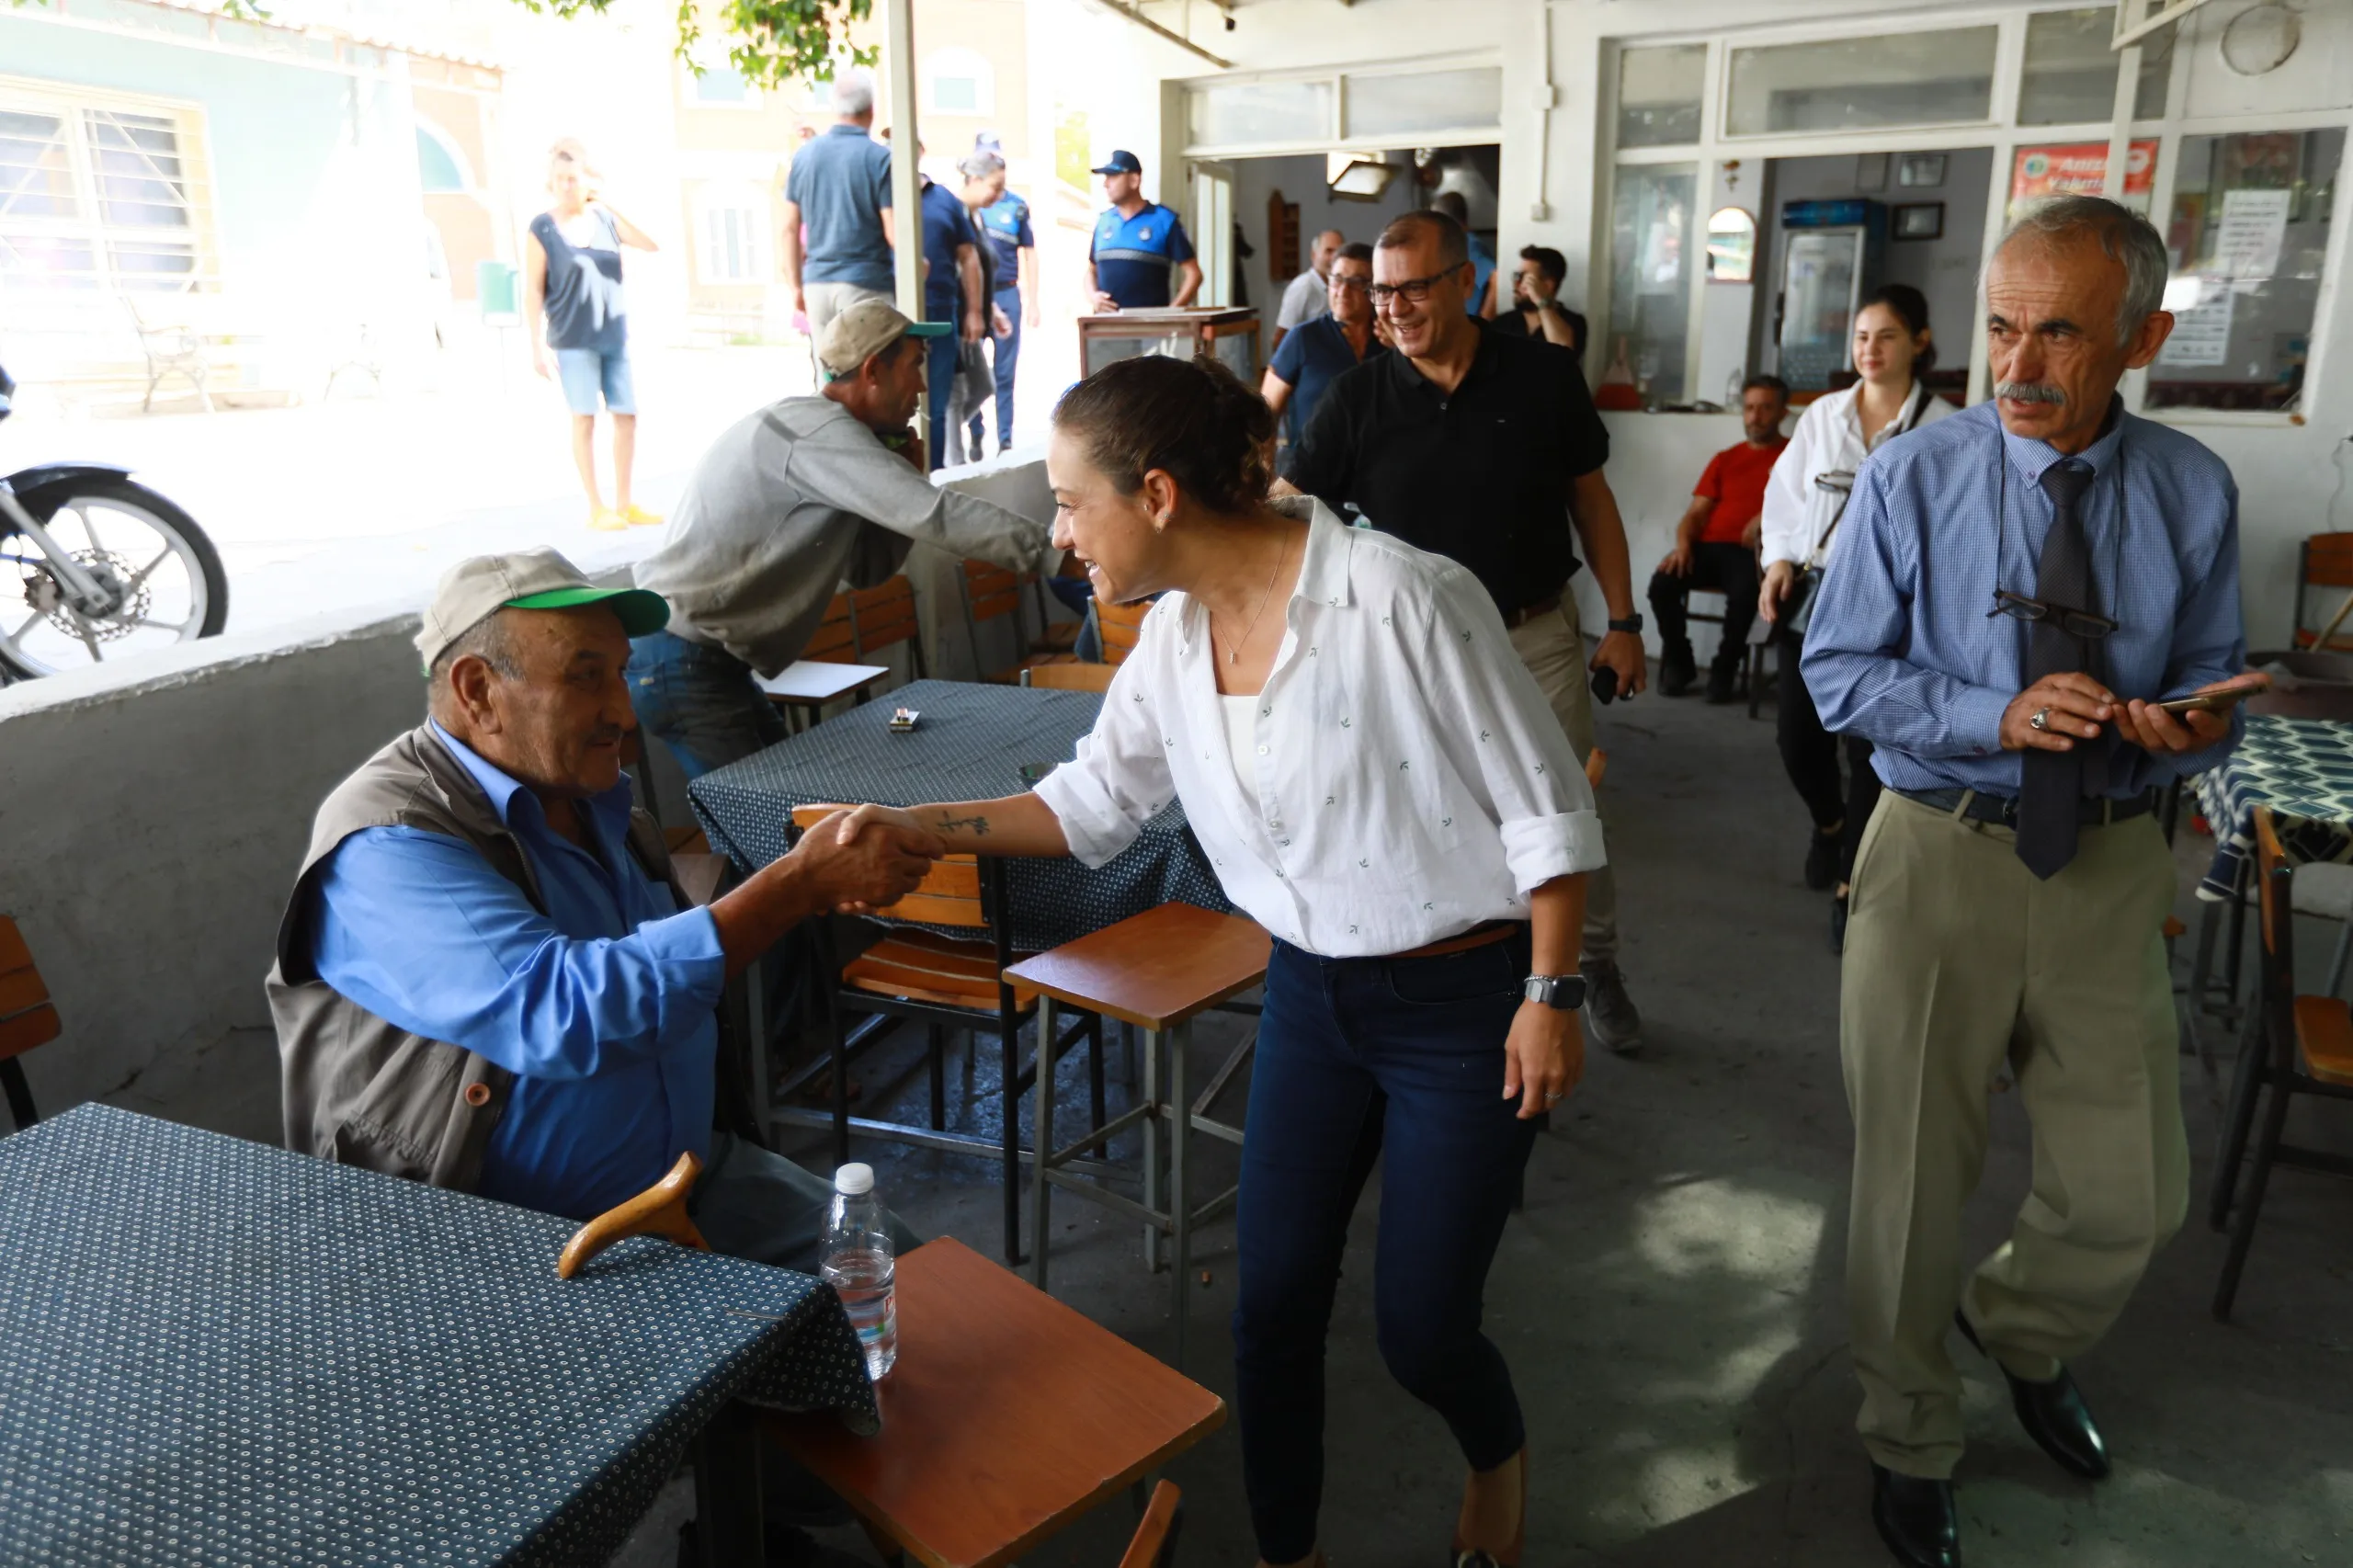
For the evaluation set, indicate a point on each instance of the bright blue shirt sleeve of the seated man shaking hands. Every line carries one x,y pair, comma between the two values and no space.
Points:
425,934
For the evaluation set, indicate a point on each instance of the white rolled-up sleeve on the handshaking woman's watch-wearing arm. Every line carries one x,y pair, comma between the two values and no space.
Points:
1521,764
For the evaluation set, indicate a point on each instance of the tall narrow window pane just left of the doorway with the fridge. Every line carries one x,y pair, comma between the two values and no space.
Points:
1651,281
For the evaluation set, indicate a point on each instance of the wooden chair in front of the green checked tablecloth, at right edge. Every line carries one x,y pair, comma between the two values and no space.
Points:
2293,1047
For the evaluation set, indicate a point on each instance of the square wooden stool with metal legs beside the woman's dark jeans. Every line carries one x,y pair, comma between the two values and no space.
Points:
1156,971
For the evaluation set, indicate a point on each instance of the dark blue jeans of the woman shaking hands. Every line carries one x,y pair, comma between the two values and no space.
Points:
1338,1039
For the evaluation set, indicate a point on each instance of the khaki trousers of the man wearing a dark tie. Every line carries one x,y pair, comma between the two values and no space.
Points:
1957,962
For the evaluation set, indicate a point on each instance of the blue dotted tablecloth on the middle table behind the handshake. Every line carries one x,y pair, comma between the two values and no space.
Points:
971,745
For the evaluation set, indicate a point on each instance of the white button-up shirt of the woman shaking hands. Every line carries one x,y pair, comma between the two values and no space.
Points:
1411,778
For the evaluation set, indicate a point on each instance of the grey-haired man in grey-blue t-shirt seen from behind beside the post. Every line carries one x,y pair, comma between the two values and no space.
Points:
839,187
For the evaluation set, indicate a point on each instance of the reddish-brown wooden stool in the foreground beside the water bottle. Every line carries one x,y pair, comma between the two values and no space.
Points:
1006,1421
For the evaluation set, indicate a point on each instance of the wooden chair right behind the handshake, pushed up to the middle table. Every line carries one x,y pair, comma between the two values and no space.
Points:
945,983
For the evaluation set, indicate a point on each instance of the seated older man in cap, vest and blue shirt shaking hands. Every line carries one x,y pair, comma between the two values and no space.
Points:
488,976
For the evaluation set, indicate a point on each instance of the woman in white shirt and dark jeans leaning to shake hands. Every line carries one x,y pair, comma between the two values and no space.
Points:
1380,783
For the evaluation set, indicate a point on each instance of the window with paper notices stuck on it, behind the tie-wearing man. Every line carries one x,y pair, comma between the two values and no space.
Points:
2248,237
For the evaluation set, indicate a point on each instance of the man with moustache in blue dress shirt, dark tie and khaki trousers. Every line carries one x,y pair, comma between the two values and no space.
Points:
2011,594
